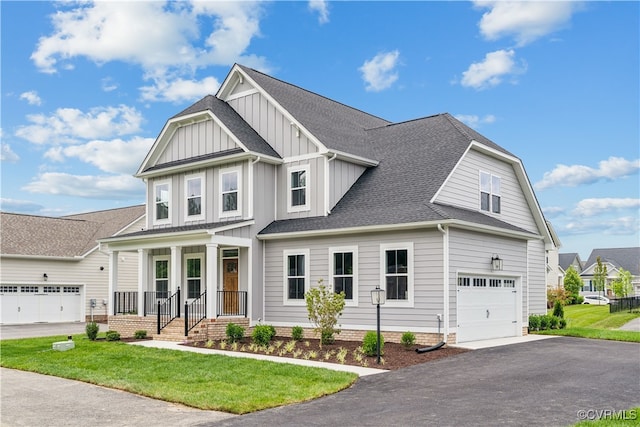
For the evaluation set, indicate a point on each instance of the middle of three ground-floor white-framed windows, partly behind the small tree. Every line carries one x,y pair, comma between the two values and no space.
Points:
344,272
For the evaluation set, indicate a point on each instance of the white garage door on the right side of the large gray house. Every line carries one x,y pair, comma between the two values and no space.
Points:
487,308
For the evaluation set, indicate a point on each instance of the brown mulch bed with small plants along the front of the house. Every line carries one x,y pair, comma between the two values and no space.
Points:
395,356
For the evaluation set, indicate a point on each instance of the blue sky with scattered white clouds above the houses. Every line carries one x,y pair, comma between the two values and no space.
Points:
86,87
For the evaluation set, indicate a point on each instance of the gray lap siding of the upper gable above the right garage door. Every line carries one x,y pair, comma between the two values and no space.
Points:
463,189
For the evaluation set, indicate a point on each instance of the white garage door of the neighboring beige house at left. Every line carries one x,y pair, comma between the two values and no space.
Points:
38,303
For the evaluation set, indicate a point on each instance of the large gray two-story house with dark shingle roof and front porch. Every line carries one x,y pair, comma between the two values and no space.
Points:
256,194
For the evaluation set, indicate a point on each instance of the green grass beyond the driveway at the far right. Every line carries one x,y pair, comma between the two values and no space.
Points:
593,321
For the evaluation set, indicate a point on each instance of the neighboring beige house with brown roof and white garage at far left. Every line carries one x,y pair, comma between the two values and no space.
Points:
51,268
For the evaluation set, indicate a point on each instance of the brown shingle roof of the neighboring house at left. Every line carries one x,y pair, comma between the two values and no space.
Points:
70,236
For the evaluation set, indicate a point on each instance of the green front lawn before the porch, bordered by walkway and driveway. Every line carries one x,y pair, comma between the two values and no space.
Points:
212,382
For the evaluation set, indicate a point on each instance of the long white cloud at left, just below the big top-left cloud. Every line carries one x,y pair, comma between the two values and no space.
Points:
66,125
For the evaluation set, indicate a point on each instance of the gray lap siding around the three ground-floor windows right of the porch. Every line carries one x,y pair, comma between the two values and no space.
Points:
427,279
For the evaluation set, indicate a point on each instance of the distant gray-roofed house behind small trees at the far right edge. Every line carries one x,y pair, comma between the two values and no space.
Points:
614,259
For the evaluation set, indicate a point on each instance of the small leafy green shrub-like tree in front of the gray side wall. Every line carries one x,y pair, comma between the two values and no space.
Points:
324,307
